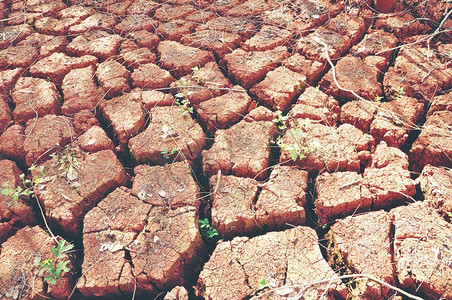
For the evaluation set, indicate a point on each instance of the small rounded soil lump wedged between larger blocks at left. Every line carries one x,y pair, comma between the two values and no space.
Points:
94,139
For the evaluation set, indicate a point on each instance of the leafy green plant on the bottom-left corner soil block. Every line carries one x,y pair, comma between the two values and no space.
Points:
53,268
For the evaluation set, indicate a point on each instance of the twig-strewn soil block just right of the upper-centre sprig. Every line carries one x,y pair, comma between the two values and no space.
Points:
207,82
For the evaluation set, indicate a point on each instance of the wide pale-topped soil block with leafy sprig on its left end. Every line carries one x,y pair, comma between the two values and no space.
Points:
326,148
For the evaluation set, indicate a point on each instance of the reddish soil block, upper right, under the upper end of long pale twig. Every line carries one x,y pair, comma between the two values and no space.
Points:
313,45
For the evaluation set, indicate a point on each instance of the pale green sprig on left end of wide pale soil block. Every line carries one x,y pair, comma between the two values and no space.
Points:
298,149
